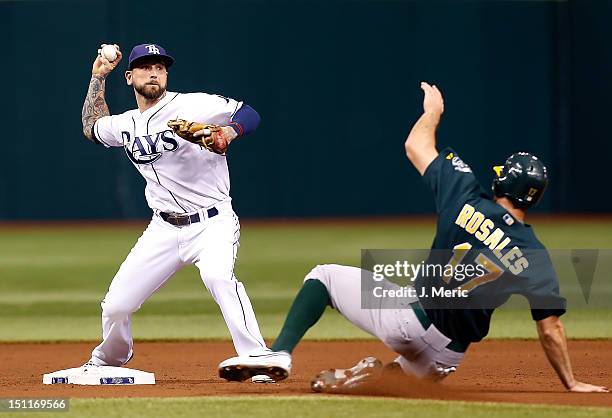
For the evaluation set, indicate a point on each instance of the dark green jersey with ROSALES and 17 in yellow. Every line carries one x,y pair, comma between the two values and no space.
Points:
503,254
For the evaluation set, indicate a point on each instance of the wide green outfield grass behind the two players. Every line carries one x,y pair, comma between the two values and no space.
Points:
52,279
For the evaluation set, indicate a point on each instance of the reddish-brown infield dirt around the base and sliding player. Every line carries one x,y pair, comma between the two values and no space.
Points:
495,371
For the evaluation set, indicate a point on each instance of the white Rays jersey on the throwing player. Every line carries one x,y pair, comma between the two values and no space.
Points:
181,177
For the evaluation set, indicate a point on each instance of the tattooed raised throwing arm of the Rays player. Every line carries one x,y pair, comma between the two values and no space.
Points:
95,105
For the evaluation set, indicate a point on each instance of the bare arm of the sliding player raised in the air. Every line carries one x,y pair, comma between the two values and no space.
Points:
421,143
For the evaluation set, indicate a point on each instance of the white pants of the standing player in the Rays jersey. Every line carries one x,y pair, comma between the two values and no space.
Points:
162,250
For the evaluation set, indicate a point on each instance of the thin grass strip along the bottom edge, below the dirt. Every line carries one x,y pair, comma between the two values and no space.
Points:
315,407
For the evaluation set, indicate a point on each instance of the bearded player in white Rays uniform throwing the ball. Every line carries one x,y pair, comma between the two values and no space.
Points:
187,188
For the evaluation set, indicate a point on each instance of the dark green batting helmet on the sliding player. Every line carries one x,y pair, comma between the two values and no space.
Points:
522,179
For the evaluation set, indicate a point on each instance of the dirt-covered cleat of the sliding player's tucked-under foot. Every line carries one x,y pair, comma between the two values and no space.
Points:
338,379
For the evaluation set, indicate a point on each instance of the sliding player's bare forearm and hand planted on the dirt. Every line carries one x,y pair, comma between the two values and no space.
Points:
554,343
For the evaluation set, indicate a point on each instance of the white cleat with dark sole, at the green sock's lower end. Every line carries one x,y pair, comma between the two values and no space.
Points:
274,364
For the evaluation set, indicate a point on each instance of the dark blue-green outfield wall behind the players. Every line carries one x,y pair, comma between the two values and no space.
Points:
336,83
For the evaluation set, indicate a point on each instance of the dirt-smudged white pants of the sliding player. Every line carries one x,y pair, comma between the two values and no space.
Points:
420,350
